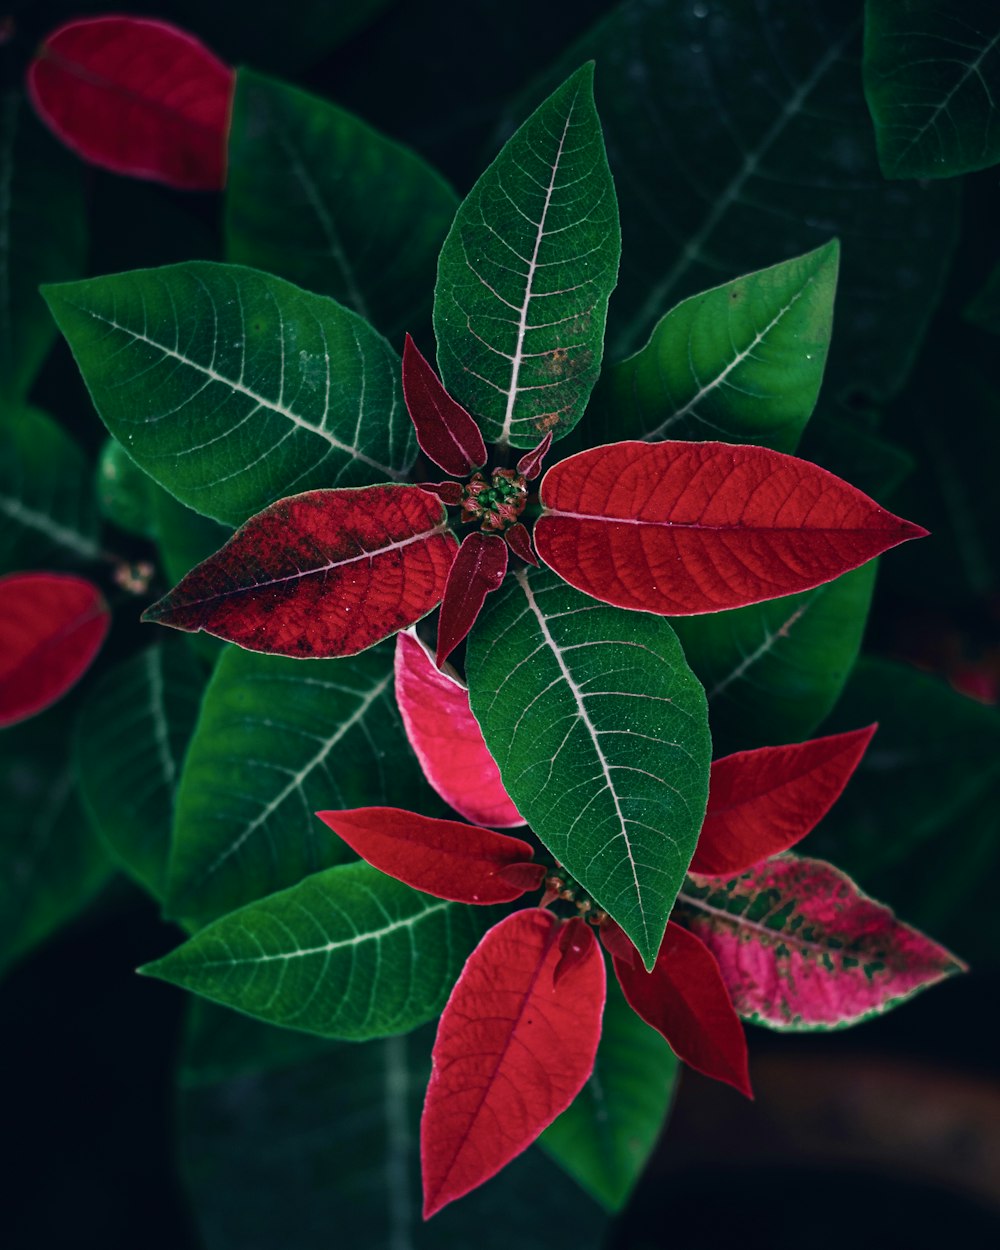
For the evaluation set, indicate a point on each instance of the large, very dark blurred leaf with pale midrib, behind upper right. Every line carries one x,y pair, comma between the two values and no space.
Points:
739,137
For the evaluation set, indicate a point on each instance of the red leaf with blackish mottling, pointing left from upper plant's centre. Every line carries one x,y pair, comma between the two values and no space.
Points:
322,574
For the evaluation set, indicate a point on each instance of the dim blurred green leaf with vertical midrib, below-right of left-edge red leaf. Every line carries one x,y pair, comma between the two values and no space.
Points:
131,741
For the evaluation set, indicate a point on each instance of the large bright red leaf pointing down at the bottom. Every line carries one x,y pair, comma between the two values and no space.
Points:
513,1052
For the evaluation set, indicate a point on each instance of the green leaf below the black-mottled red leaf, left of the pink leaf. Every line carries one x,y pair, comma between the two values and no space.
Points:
278,741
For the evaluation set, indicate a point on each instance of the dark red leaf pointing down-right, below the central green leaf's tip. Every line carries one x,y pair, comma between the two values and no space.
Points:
686,999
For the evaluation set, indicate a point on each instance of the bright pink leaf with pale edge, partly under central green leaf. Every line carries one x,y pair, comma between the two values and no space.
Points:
448,741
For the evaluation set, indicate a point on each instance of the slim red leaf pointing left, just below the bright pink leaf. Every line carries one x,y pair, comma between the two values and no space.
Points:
444,858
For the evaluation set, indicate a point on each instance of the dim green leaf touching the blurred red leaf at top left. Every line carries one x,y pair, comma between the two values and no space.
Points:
316,196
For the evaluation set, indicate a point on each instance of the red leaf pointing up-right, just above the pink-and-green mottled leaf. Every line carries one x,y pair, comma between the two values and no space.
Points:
764,802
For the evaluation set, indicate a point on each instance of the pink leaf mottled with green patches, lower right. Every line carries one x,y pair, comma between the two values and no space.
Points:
802,948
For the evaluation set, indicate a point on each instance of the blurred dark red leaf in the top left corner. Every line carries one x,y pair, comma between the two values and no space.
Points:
137,97
